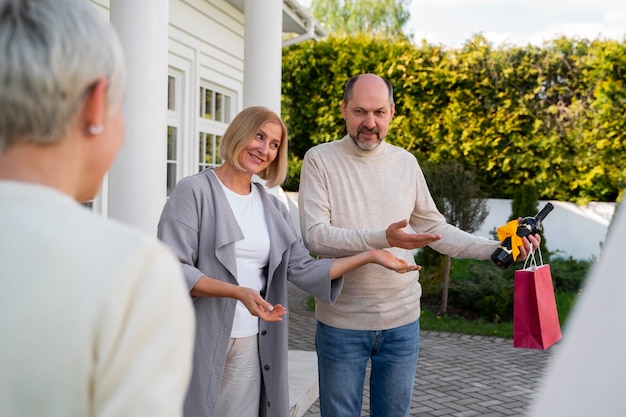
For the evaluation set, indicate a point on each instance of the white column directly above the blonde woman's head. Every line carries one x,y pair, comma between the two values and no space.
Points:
263,53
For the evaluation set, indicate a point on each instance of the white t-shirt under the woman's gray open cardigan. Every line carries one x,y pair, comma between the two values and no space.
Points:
252,254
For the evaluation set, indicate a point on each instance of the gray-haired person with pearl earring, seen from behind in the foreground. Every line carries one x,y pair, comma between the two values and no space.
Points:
96,320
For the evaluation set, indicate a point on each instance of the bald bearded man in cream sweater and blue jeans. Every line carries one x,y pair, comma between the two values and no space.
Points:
360,193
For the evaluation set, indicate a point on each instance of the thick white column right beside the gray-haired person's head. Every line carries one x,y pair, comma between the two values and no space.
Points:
137,179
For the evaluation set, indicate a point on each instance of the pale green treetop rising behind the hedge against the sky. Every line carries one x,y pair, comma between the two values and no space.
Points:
349,17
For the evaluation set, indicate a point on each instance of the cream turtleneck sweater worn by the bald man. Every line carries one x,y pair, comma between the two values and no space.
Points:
347,198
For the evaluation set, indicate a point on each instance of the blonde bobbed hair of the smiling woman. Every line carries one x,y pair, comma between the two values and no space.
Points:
244,127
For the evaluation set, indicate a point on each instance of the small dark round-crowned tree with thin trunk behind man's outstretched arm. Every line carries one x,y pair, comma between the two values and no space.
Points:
459,198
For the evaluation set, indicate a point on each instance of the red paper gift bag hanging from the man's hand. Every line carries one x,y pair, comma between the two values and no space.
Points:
535,317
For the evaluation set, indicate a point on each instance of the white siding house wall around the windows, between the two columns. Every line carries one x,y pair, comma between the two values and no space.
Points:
206,46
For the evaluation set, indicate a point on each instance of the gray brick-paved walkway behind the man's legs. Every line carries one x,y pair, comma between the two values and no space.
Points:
457,375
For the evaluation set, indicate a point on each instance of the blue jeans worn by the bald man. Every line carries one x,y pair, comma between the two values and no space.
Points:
342,357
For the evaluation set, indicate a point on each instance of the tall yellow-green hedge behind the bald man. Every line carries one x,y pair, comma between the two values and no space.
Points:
550,116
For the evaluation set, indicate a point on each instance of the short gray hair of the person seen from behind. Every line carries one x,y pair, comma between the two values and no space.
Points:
53,51
